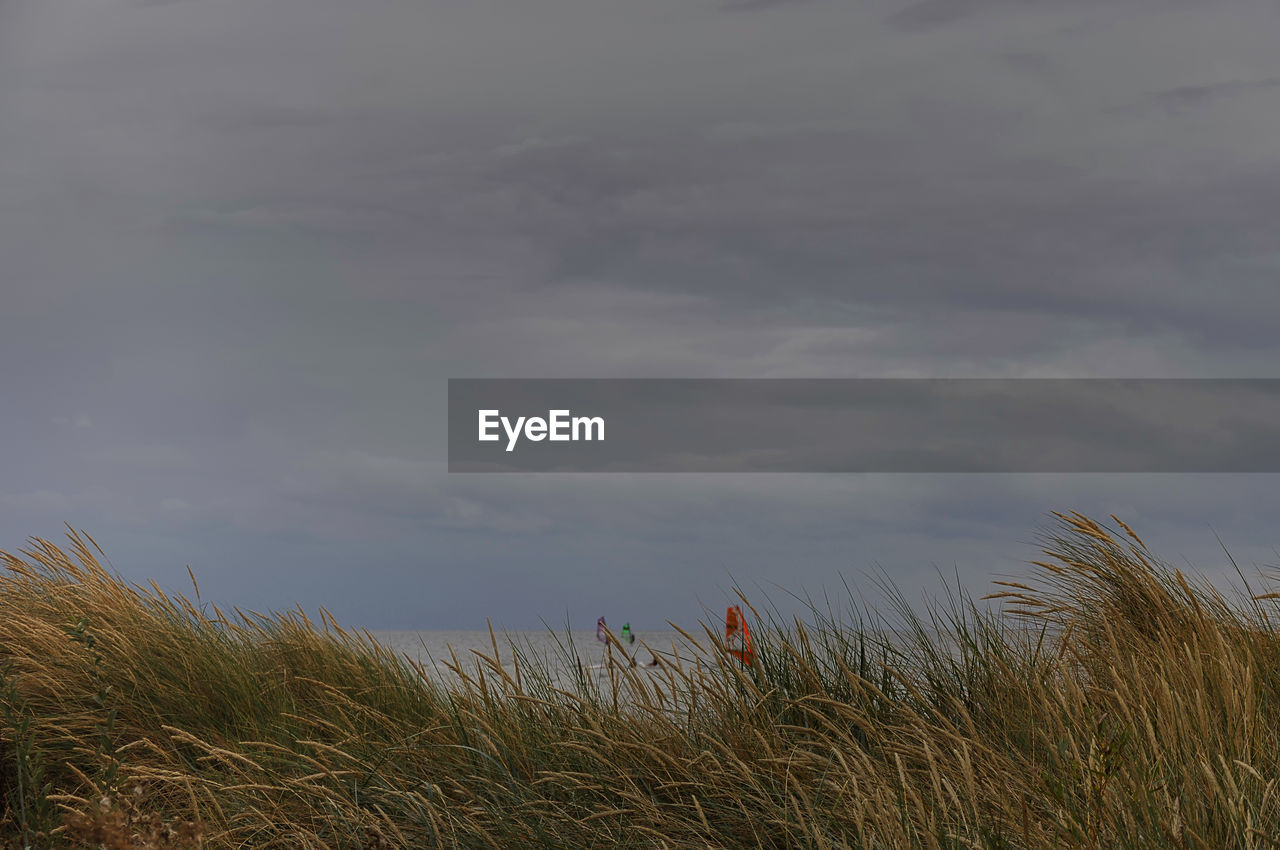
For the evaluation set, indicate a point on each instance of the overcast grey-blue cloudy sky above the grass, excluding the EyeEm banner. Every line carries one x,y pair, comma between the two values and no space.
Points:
245,244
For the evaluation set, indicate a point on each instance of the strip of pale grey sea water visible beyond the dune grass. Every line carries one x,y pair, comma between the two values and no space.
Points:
561,652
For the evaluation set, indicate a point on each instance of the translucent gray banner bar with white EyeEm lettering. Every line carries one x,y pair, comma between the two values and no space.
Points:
865,426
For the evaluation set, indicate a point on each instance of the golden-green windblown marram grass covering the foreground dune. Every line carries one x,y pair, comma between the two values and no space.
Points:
1114,703
